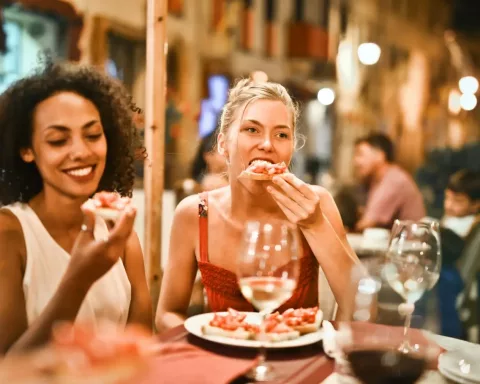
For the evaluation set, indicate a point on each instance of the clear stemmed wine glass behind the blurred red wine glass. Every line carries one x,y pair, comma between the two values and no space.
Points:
414,262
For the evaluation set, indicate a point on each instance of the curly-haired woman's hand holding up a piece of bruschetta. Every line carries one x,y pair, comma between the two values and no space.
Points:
91,258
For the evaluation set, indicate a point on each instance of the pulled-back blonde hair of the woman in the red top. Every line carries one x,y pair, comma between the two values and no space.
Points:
247,91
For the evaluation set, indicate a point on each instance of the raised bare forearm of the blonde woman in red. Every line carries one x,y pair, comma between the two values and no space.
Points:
335,257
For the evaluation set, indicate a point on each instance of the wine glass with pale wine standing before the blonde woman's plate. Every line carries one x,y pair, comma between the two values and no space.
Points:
267,271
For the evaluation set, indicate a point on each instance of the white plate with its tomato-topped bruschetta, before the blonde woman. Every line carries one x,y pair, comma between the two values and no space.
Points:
292,328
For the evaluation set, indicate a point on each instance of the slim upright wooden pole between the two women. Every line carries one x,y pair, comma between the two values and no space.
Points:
155,95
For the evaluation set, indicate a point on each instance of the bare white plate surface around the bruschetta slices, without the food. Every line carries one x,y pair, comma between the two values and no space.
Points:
194,326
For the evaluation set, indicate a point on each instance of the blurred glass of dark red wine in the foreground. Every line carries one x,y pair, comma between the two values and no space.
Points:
368,345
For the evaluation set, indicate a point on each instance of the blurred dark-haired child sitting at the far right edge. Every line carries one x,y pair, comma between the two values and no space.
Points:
460,263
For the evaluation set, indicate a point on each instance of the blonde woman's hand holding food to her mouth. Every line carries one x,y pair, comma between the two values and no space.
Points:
297,199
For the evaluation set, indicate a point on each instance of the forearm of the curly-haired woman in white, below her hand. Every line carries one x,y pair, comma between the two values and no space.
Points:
63,306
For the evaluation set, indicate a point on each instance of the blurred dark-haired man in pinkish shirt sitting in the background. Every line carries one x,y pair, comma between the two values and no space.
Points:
391,192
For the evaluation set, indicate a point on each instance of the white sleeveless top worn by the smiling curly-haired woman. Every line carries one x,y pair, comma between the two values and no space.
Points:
108,298
